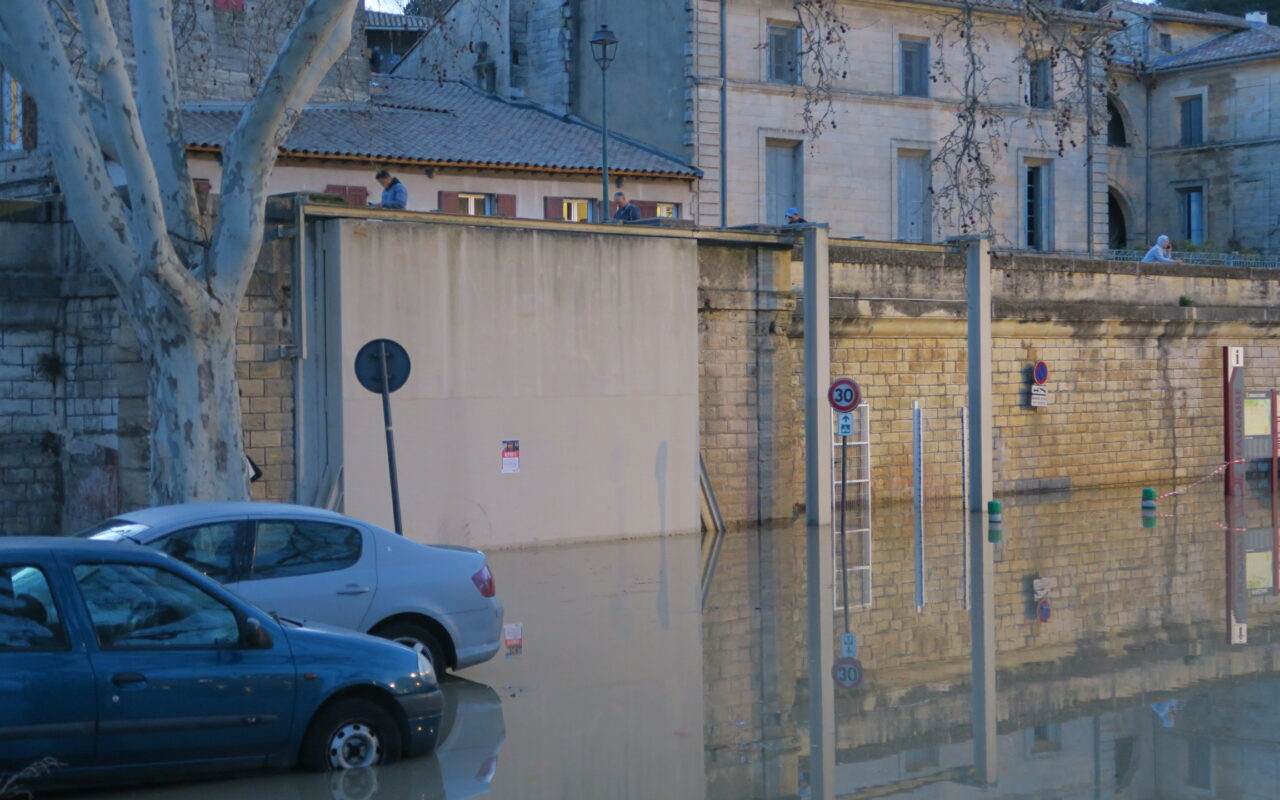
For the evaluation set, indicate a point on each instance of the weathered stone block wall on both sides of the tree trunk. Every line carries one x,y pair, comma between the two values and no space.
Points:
75,417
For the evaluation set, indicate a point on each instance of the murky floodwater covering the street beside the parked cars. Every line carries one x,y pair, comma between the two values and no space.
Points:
627,689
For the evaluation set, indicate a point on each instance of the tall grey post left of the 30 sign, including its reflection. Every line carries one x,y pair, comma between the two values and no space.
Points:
819,543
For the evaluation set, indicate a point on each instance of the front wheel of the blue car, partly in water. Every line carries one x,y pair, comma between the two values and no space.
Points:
349,735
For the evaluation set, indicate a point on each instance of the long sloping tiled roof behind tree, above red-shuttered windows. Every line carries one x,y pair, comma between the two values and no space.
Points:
413,121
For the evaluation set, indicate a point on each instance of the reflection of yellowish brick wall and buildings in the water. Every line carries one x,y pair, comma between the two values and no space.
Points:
1140,620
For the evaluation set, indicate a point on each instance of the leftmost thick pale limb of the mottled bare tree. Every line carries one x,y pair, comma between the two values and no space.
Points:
97,209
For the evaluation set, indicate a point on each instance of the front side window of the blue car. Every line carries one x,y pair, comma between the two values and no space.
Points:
139,606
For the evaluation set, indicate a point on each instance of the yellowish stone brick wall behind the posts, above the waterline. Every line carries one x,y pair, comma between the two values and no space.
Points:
1135,356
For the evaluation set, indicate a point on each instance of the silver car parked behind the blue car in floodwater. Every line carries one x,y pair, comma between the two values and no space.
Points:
317,565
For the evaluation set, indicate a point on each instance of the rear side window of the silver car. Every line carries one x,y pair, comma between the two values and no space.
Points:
301,547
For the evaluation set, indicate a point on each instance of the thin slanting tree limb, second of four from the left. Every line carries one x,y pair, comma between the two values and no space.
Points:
147,212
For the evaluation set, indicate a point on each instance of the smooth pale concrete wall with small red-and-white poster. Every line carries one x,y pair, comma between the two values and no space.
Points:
578,342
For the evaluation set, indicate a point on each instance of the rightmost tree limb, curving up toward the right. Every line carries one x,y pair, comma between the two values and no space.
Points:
318,42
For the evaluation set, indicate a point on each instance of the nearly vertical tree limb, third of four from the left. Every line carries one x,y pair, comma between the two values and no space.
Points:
157,79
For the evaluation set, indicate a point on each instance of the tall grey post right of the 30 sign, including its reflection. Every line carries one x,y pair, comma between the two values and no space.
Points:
982,573
